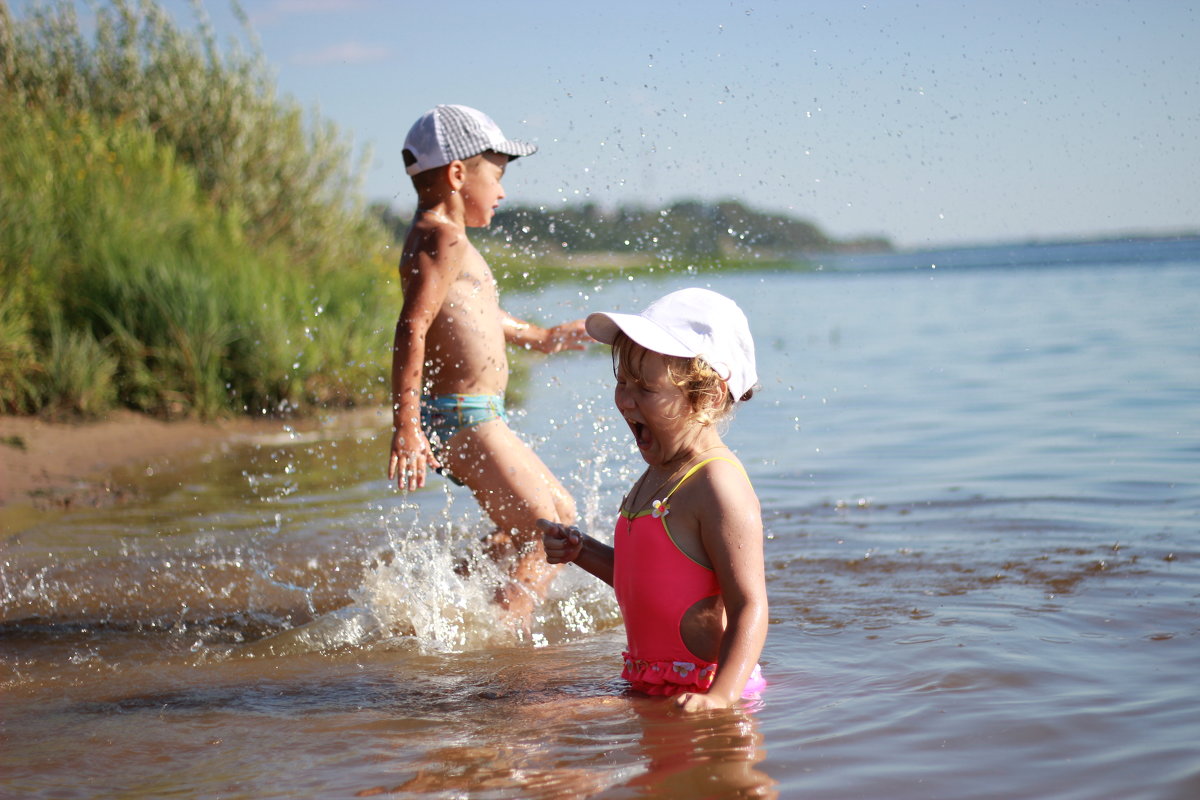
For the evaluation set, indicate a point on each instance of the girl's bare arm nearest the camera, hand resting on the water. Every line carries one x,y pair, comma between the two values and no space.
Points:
731,530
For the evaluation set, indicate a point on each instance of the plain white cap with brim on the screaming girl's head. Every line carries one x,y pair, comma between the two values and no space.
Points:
689,323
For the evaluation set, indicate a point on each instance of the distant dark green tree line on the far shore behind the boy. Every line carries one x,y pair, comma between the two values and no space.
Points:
687,228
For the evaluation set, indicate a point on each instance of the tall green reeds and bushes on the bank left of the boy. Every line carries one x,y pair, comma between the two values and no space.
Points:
176,238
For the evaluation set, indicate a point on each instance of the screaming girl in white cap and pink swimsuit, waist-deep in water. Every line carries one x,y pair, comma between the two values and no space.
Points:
687,557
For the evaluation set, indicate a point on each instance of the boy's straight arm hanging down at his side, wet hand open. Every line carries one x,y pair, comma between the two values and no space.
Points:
427,274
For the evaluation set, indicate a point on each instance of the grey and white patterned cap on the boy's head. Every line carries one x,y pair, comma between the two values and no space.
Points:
454,134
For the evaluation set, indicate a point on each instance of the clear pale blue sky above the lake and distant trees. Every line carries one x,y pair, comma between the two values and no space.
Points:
932,123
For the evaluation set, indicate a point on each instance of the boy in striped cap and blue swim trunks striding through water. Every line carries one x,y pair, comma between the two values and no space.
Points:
449,365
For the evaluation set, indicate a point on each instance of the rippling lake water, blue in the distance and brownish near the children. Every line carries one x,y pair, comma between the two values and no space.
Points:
981,485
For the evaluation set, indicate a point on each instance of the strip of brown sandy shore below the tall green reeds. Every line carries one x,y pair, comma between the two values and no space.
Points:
69,466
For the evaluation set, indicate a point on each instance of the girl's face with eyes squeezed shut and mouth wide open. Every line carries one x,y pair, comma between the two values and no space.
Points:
656,410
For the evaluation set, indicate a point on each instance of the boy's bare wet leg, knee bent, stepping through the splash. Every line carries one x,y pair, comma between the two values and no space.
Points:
515,489
